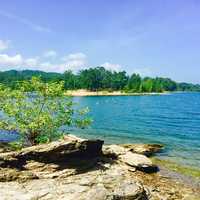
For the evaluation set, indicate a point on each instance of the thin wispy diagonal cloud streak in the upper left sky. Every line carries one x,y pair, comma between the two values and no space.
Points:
26,22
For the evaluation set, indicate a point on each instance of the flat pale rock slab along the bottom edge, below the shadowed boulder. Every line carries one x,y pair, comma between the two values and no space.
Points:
111,184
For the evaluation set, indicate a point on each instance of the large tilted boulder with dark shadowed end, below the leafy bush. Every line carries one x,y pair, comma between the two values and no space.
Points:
54,152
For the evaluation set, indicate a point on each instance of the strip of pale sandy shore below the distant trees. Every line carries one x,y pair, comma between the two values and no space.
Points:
83,92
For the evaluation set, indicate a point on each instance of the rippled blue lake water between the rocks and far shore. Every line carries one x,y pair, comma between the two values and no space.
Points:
172,120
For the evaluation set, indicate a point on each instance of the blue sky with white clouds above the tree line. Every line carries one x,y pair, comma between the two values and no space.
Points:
149,37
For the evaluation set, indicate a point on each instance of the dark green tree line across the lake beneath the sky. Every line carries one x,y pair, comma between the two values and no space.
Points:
98,78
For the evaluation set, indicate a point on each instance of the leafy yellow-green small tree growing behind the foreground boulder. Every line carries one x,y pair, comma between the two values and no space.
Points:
38,110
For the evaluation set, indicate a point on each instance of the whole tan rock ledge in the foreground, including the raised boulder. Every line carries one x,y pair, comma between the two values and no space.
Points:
77,169
